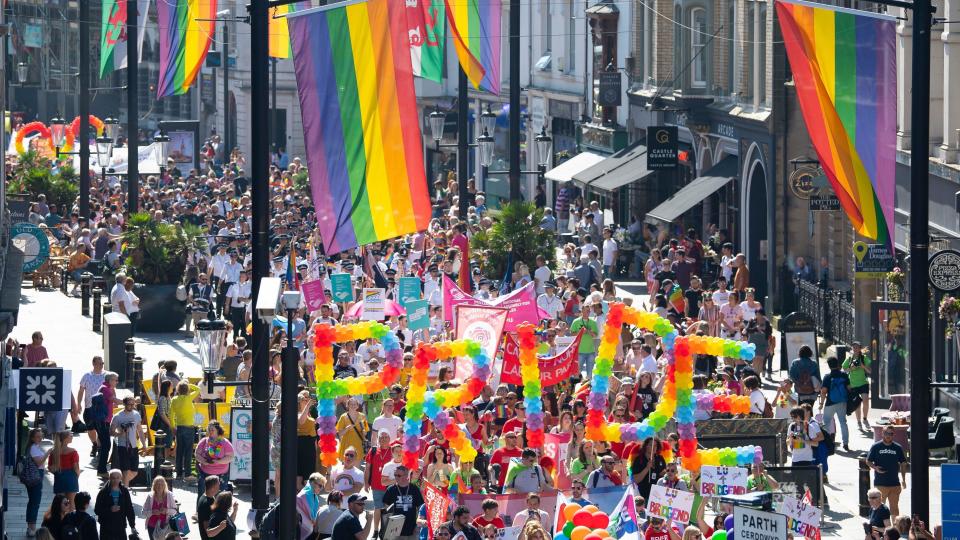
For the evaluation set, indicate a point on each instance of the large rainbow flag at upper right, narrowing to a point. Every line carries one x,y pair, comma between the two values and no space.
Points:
845,70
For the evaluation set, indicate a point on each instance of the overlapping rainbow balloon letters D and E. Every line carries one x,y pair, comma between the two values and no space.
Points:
678,400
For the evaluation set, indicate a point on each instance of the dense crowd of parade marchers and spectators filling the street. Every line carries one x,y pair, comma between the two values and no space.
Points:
702,288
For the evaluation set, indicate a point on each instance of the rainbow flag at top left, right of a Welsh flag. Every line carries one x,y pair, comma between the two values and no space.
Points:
184,42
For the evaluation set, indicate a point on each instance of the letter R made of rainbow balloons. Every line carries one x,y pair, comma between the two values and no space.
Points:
431,404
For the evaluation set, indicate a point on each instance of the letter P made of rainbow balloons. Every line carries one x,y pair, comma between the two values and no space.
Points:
329,388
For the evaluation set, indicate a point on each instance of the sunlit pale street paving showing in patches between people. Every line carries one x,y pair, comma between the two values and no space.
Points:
71,343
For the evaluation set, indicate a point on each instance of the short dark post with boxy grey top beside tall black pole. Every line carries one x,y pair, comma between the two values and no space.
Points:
288,419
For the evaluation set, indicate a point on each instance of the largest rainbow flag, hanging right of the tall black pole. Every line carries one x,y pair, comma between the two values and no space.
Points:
364,146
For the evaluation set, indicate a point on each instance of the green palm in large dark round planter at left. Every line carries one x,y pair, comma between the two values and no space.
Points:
156,259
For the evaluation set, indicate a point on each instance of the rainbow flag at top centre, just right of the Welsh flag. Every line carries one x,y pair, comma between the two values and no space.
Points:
475,25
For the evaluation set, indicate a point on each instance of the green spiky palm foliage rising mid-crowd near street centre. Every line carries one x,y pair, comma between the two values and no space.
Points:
516,230
